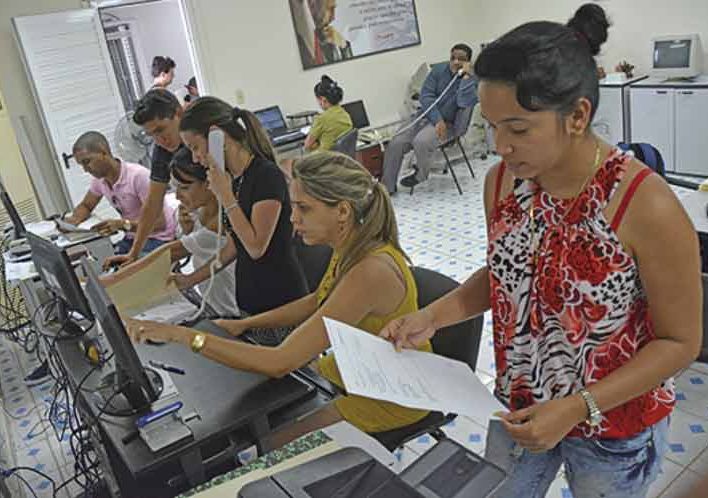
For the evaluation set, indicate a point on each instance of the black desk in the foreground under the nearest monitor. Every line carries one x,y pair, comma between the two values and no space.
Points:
237,409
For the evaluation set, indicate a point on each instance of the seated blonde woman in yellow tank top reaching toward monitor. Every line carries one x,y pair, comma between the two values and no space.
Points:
367,284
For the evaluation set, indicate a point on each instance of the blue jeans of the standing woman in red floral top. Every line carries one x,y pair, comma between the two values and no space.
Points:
594,468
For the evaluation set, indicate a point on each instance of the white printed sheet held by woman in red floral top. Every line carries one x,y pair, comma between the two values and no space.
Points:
371,367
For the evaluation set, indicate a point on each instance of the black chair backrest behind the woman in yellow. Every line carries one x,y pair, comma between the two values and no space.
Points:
461,341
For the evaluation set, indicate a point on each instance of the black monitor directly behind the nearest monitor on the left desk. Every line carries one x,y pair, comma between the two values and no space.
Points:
57,274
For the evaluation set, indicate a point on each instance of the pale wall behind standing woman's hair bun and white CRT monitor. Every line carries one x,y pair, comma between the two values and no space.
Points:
634,23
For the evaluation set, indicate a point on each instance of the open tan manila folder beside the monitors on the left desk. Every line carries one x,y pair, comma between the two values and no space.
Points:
147,288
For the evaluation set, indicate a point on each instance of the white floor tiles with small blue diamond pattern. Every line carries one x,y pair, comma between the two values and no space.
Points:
440,230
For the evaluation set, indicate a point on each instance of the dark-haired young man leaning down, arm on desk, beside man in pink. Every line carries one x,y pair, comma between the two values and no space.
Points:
158,112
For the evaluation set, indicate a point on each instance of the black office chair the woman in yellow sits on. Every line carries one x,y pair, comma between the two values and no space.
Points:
459,342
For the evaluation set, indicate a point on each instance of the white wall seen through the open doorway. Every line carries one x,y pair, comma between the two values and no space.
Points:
161,32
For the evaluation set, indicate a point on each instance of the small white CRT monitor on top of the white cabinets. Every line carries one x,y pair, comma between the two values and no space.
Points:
678,56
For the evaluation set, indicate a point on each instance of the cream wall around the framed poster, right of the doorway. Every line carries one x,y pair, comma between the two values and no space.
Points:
251,46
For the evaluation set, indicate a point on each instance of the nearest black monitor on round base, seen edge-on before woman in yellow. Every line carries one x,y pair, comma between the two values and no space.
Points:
138,386
